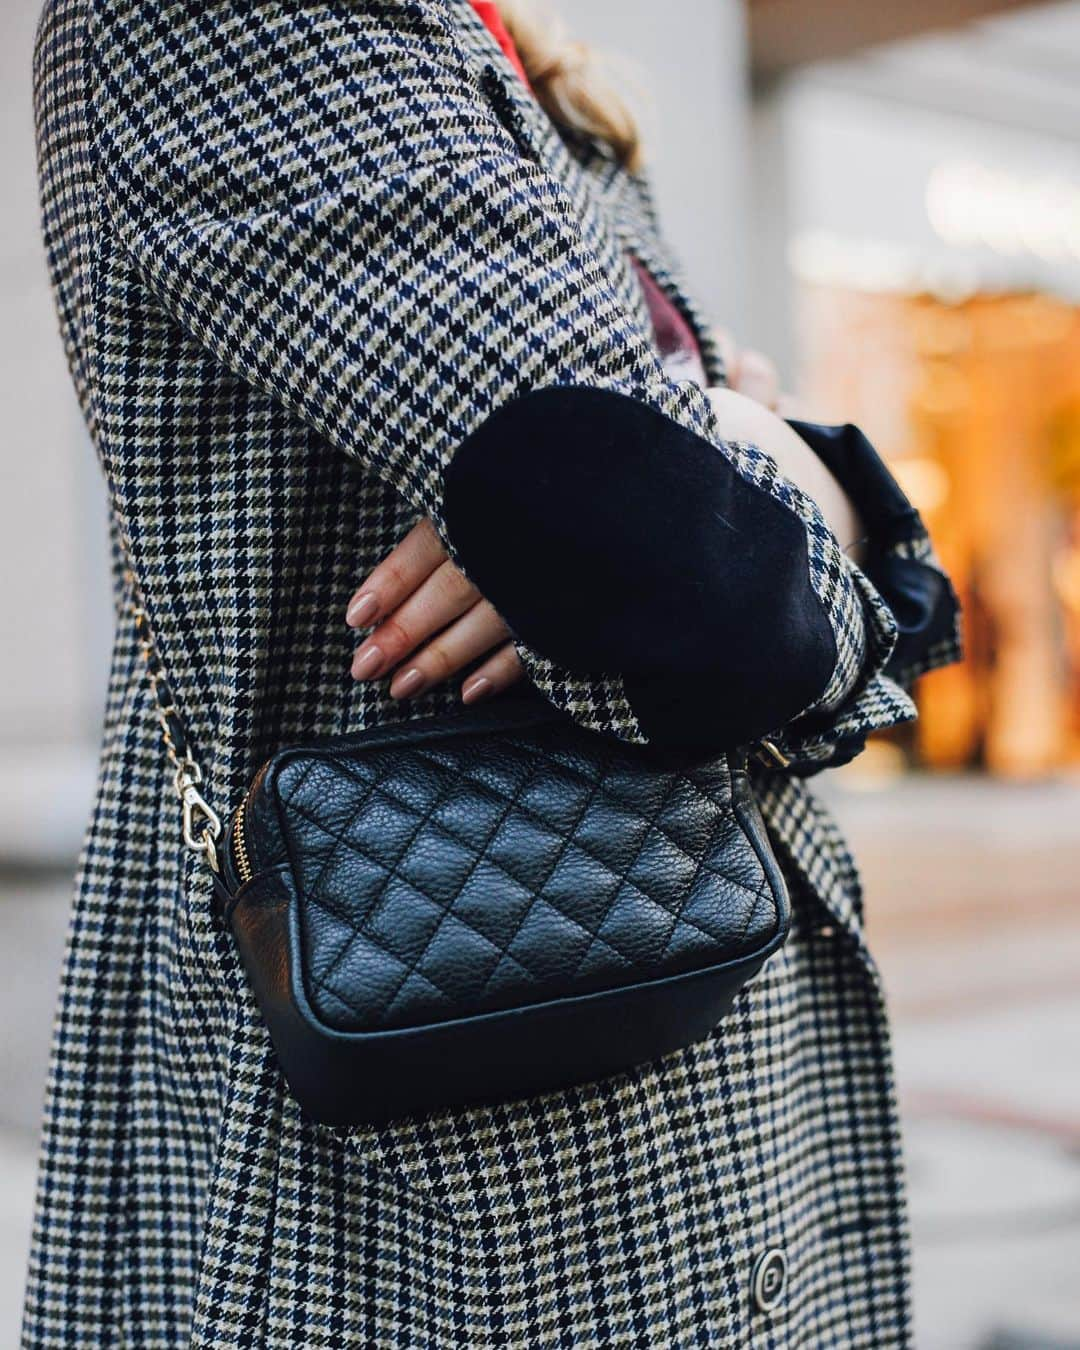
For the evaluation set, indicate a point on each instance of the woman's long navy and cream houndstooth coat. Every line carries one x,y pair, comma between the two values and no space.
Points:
304,252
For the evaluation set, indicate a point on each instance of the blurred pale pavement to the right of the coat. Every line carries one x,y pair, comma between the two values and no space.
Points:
974,915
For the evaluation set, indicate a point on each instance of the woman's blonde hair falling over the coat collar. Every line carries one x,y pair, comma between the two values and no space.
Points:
570,82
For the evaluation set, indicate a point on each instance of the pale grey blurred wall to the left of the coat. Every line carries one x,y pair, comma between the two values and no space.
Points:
52,515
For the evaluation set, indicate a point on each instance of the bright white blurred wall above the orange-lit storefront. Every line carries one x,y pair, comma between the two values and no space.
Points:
948,164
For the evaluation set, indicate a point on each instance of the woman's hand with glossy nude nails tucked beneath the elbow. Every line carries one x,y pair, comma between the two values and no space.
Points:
429,623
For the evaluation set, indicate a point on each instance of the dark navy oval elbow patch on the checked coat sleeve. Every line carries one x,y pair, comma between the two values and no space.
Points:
614,539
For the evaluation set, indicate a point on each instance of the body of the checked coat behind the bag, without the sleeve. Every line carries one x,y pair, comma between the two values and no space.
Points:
627,1214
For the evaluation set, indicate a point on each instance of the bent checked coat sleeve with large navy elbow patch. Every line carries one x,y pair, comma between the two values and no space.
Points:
334,202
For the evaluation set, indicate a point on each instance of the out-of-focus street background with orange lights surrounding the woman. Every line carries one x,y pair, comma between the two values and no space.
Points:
892,210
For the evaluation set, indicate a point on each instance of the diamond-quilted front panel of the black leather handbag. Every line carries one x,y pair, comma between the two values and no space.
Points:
458,874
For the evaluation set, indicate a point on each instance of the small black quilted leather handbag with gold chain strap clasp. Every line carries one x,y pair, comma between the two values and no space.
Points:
484,907
